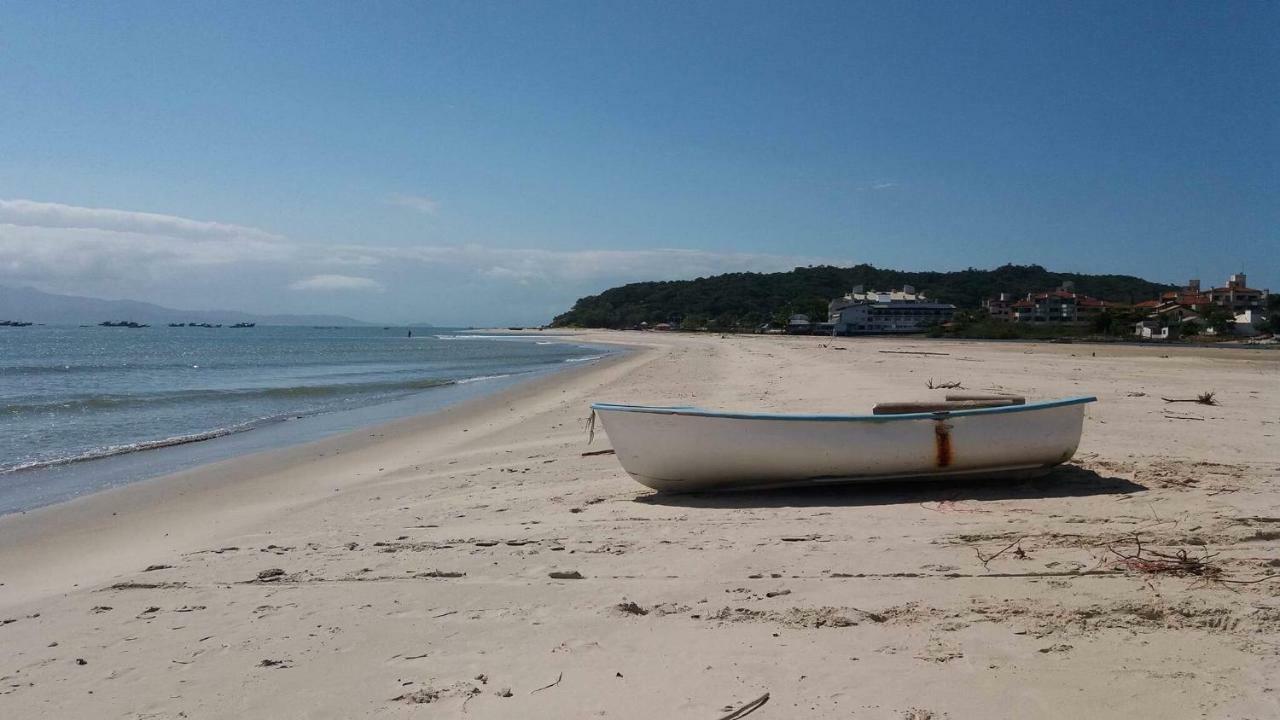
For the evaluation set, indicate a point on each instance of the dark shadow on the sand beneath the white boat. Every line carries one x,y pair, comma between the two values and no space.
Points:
1064,481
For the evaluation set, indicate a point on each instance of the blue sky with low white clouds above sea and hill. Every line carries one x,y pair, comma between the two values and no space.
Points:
490,163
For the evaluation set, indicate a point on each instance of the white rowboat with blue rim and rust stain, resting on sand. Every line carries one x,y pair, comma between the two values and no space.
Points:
689,449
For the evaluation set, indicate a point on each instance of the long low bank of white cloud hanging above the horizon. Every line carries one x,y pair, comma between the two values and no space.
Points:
200,265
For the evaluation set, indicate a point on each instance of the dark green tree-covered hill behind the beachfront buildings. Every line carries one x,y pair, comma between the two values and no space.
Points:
752,299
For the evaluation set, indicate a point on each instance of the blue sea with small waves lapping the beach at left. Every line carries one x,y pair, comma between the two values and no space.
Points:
76,402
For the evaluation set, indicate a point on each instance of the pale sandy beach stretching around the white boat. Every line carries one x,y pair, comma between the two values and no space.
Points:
405,571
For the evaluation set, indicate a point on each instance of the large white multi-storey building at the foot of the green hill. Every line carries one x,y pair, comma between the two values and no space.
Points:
895,312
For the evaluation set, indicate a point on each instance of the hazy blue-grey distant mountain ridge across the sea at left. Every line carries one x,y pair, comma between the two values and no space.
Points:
36,307
